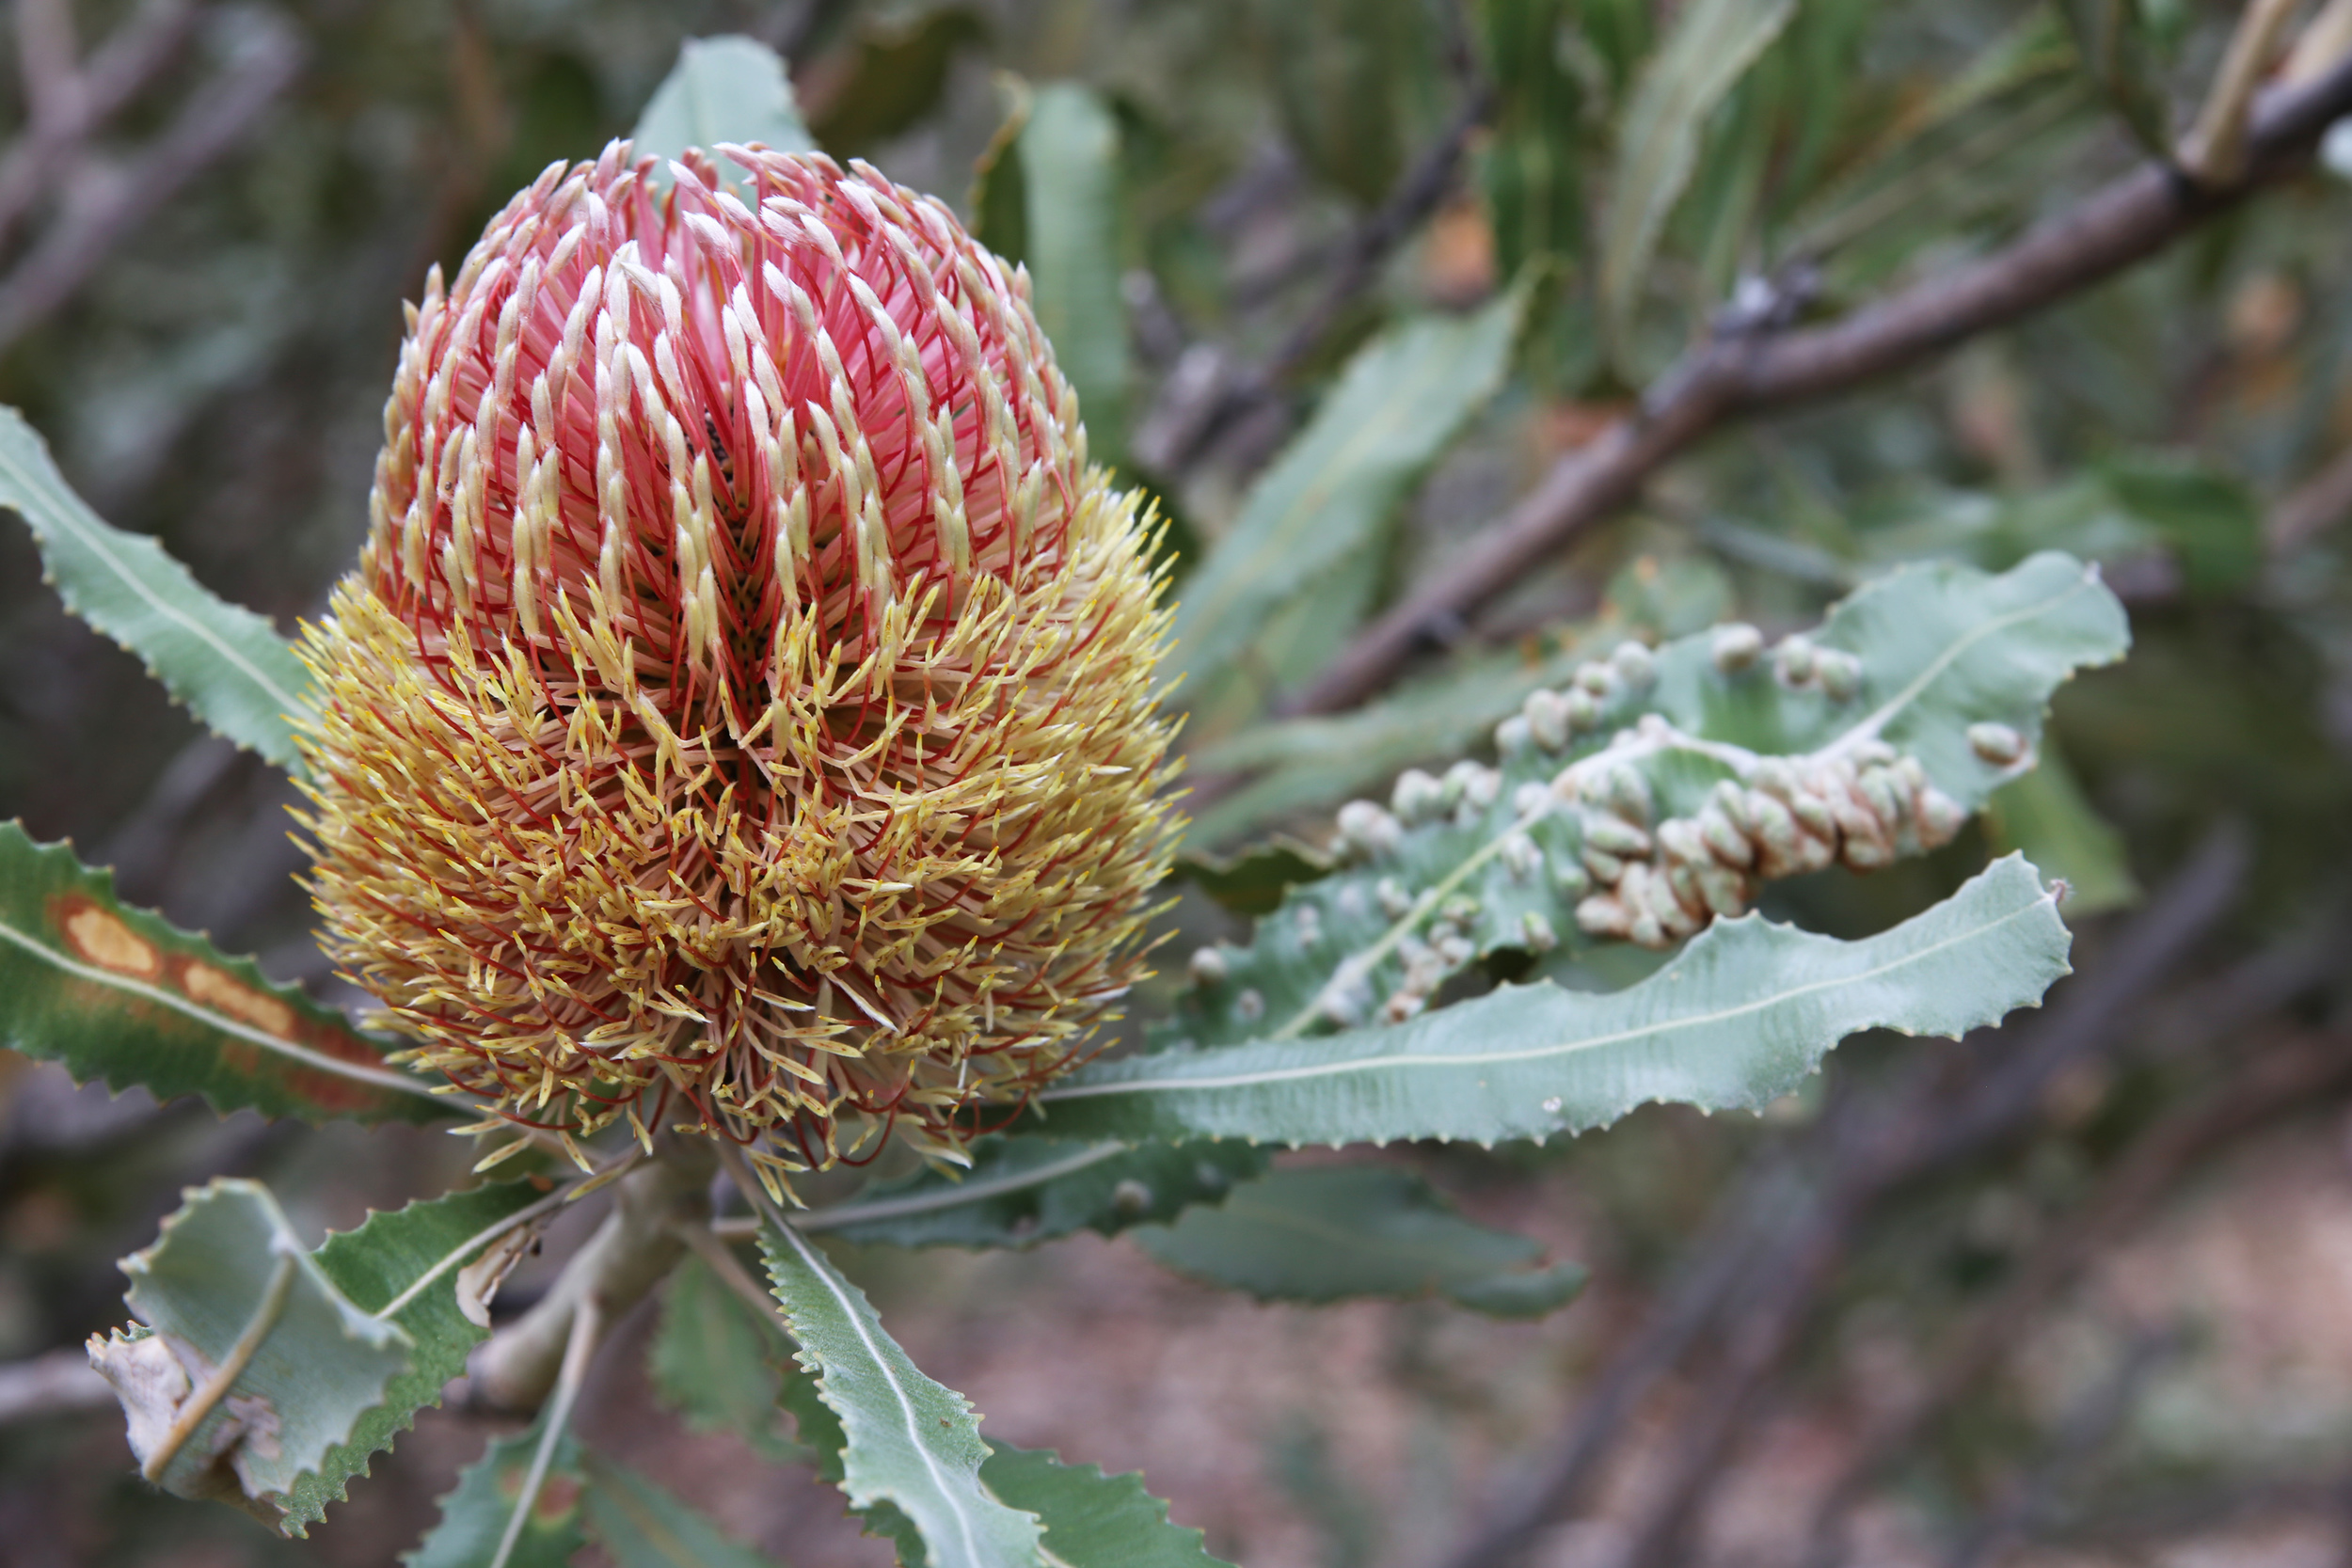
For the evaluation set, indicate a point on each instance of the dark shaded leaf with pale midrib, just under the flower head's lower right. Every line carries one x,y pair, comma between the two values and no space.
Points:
1027,1191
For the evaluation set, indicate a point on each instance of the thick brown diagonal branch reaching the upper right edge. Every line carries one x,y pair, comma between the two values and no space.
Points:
1749,373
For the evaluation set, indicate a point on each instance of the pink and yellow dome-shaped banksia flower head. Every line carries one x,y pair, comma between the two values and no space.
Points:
742,713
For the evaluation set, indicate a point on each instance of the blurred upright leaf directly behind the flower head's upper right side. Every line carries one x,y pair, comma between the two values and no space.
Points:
1071,246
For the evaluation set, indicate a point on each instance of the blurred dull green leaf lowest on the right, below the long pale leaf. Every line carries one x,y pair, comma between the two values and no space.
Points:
1328,1233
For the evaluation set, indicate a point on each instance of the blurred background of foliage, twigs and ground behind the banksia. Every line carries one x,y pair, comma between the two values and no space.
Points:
2078,1289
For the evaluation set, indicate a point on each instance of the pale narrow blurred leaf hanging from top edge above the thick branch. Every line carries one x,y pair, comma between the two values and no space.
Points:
1709,51
